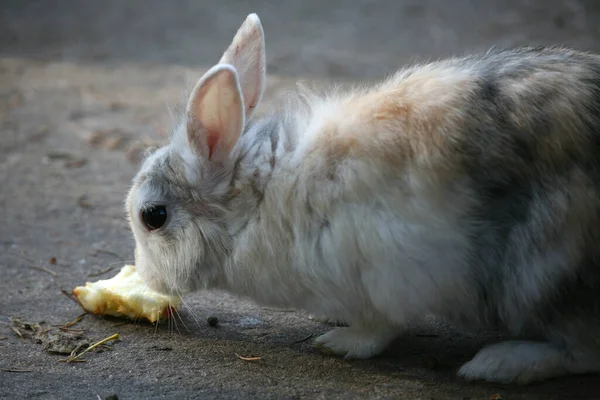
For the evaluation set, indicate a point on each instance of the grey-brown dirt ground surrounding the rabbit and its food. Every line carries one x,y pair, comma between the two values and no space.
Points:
84,85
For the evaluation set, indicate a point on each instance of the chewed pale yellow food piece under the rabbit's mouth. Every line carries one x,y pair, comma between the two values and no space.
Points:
125,295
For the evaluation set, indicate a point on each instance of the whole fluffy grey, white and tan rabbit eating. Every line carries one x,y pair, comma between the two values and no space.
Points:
467,189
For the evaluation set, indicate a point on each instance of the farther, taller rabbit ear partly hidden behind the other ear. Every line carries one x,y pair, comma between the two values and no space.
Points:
247,54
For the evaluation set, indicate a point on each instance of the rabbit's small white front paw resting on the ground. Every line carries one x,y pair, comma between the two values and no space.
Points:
353,342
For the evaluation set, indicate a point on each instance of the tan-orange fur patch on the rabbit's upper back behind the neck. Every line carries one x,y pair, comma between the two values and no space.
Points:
404,120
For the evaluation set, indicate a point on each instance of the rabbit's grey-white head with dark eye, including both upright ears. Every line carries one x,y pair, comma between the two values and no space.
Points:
177,204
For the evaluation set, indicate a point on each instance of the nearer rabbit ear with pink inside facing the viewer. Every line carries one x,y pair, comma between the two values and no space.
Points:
215,112
